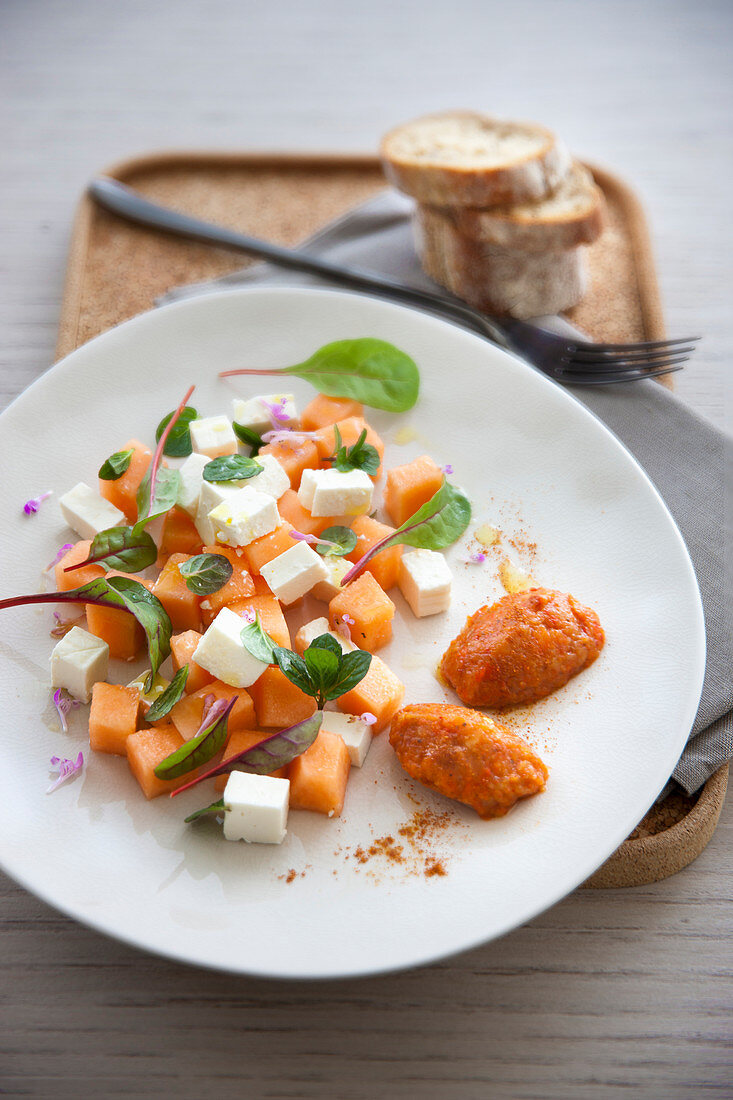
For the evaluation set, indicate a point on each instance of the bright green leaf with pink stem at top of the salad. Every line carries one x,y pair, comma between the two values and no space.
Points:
369,370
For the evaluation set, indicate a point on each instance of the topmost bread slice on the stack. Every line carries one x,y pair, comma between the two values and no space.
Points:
467,159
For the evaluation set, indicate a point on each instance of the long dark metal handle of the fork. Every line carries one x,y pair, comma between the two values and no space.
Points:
129,204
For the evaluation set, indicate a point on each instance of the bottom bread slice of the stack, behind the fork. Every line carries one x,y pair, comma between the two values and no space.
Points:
495,279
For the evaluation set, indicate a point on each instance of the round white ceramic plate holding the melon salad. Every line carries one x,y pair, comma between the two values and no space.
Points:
538,466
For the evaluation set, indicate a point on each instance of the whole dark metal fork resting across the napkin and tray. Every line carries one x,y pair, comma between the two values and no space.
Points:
563,359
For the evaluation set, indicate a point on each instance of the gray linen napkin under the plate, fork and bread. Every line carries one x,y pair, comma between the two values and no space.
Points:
690,460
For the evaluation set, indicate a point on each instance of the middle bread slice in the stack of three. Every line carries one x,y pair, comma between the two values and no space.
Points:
573,215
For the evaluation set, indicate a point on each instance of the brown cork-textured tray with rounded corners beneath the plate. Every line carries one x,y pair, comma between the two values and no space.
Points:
117,271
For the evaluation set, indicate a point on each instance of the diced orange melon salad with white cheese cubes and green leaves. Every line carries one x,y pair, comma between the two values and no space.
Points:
199,548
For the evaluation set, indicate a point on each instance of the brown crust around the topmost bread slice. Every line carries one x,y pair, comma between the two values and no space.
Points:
523,179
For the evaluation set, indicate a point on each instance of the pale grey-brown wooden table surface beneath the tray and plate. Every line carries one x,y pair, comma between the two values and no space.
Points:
612,994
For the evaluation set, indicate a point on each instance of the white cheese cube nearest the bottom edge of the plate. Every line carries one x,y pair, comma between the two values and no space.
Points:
256,808
